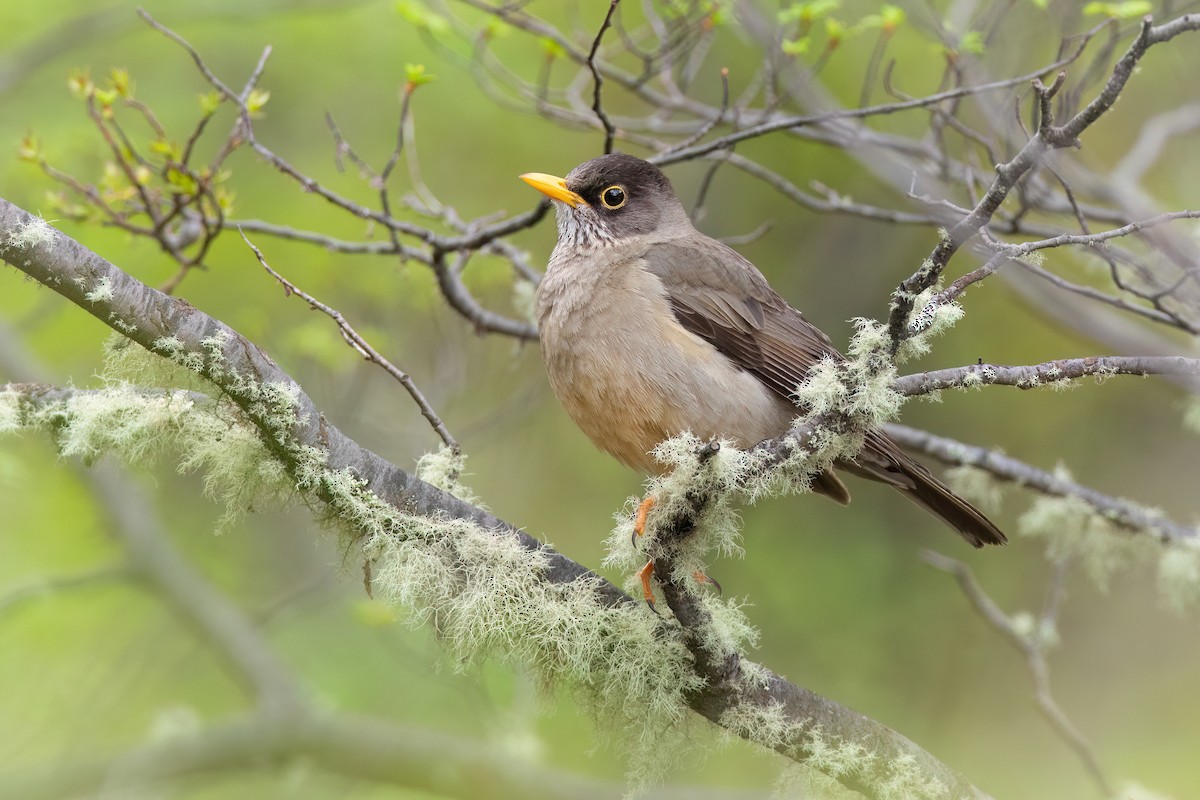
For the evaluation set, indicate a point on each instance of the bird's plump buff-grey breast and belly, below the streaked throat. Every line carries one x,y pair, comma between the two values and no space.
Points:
631,376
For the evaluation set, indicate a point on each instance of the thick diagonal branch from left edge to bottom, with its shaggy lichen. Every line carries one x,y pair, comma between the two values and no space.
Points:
560,615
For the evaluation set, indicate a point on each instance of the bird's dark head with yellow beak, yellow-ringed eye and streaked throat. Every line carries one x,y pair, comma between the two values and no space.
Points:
610,200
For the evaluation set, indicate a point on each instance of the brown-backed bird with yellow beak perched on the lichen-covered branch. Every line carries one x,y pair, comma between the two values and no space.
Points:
649,329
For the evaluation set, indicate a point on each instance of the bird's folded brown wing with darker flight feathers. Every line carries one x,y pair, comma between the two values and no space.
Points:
723,299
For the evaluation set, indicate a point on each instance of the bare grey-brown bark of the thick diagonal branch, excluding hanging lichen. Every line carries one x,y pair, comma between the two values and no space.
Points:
172,328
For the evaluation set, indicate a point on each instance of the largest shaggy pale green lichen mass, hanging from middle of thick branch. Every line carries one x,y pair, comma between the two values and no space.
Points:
487,596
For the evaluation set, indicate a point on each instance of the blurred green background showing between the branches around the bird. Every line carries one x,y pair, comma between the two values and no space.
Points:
843,601
